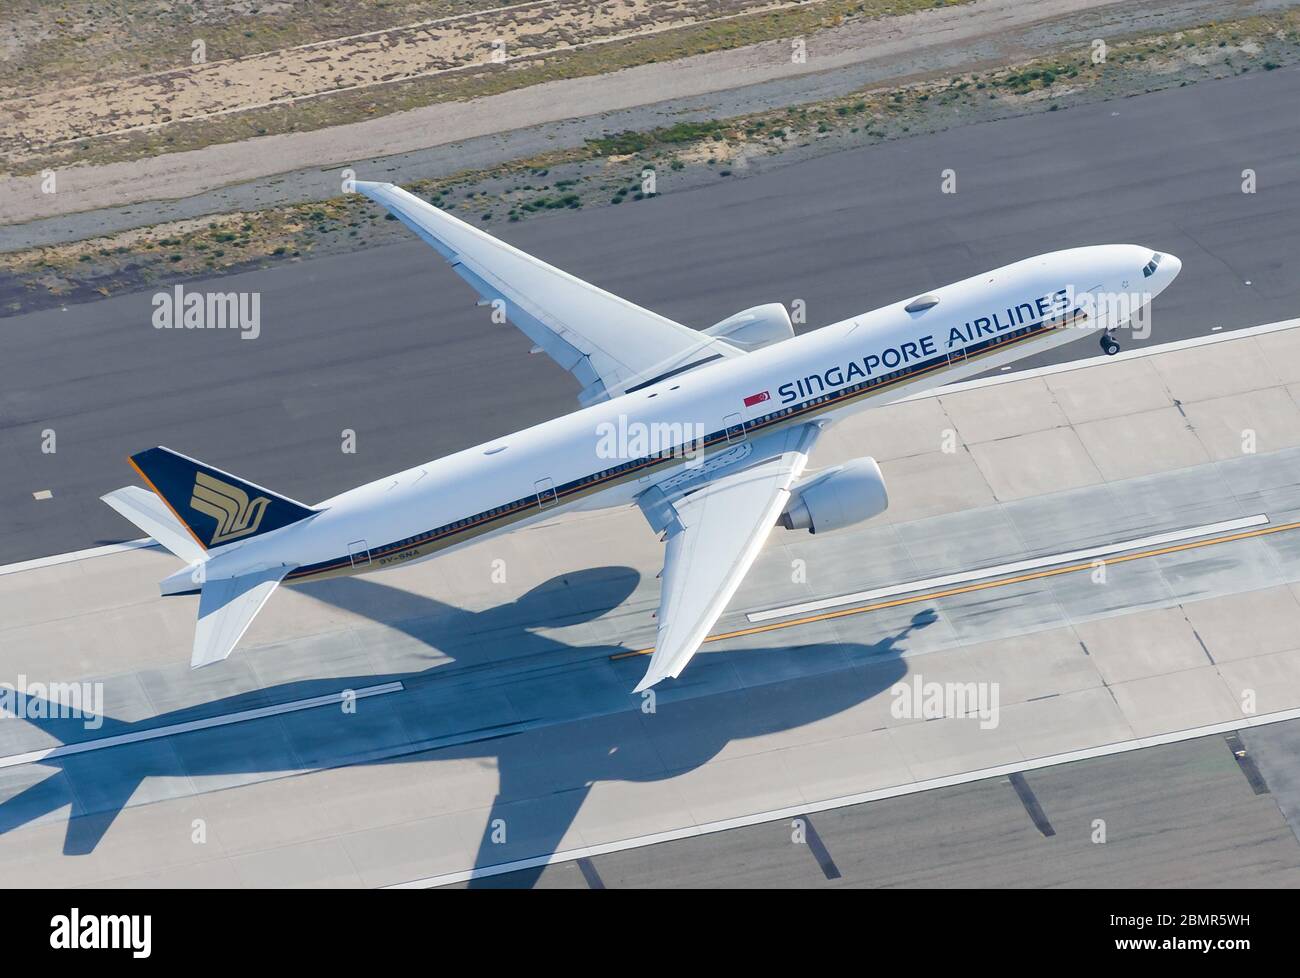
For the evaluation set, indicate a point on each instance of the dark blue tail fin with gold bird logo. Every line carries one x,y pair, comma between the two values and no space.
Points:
214,507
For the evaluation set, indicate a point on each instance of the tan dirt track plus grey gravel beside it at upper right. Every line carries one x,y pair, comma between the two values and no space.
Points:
905,47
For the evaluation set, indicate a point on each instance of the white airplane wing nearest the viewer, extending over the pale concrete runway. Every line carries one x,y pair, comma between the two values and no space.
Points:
714,536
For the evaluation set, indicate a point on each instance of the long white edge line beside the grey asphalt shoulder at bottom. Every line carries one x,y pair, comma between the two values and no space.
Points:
847,800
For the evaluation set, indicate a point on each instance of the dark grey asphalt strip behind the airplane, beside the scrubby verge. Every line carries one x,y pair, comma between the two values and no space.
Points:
389,344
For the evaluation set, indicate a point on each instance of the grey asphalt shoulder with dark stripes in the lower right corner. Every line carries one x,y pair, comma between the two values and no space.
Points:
1154,804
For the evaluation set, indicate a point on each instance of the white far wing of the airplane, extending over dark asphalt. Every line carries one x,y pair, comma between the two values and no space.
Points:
609,344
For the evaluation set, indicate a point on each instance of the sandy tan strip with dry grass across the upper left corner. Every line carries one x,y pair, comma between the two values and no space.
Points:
132,119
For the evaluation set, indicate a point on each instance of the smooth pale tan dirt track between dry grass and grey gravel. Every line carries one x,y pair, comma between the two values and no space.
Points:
168,176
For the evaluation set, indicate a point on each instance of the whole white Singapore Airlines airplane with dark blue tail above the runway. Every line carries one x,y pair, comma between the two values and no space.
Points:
708,432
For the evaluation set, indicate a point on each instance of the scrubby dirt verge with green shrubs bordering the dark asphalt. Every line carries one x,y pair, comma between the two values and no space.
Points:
609,170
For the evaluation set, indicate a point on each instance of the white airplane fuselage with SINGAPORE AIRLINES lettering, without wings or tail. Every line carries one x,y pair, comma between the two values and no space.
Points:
606,455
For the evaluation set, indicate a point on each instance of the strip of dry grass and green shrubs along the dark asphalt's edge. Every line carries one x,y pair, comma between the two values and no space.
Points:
609,167
